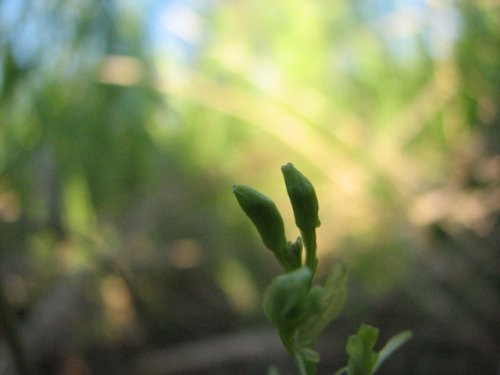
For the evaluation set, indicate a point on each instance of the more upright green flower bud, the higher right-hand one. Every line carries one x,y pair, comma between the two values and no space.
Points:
303,198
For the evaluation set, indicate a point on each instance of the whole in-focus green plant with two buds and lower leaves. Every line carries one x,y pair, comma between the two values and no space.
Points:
299,310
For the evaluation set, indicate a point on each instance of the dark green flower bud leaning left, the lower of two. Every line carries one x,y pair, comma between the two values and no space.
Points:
265,216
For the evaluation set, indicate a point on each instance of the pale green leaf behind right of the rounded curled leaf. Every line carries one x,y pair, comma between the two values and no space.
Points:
326,304
